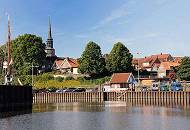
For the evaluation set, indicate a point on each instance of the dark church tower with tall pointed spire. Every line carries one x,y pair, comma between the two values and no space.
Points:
50,51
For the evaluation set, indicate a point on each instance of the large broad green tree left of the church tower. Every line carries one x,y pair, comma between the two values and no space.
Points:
26,49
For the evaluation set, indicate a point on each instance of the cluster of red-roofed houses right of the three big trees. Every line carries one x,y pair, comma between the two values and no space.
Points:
163,64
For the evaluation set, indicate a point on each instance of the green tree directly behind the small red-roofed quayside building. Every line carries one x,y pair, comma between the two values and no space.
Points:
119,59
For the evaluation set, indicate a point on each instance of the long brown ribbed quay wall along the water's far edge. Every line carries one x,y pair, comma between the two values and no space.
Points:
148,97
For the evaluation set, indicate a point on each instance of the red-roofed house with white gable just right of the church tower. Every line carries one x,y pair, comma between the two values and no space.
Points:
66,65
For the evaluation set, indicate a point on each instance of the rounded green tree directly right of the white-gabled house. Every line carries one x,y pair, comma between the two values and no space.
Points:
91,61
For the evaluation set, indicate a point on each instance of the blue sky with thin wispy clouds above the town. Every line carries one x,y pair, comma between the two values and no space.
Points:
145,26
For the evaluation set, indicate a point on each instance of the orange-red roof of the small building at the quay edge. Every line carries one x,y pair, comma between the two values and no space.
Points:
120,78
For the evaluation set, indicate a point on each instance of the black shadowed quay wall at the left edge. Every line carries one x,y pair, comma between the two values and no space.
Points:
15,99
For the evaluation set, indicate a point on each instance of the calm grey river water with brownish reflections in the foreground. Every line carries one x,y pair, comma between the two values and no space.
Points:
100,116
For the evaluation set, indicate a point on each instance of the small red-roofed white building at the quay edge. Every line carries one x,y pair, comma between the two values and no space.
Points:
122,82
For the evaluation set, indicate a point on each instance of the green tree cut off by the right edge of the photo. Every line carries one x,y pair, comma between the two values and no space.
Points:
183,72
